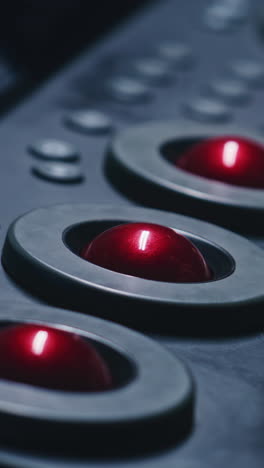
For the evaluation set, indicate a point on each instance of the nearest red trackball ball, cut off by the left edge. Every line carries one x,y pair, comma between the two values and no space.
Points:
51,358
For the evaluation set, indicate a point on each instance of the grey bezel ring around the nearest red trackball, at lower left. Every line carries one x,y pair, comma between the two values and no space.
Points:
160,393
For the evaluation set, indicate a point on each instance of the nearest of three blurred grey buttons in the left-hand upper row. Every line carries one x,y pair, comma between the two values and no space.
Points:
128,89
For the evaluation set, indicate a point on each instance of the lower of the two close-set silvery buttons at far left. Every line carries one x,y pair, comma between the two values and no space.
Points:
56,172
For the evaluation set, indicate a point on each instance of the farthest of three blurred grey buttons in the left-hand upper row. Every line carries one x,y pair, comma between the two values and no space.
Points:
179,54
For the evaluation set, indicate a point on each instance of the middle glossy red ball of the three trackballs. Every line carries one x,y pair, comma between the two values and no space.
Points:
148,251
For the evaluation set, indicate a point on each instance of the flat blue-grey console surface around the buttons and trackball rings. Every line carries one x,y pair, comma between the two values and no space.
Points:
229,419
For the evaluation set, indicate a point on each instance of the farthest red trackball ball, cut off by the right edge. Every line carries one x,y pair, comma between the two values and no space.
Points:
230,159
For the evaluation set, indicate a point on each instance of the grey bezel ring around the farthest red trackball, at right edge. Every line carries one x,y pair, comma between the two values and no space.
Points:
136,165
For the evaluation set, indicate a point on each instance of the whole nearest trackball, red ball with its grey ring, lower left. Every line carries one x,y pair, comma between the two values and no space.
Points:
149,388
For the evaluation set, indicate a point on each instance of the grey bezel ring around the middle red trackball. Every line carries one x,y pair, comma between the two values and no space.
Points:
36,255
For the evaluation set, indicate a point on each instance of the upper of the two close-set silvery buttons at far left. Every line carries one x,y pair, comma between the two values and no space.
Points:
54,150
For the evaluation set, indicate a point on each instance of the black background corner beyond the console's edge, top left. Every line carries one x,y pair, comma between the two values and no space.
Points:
39,36
